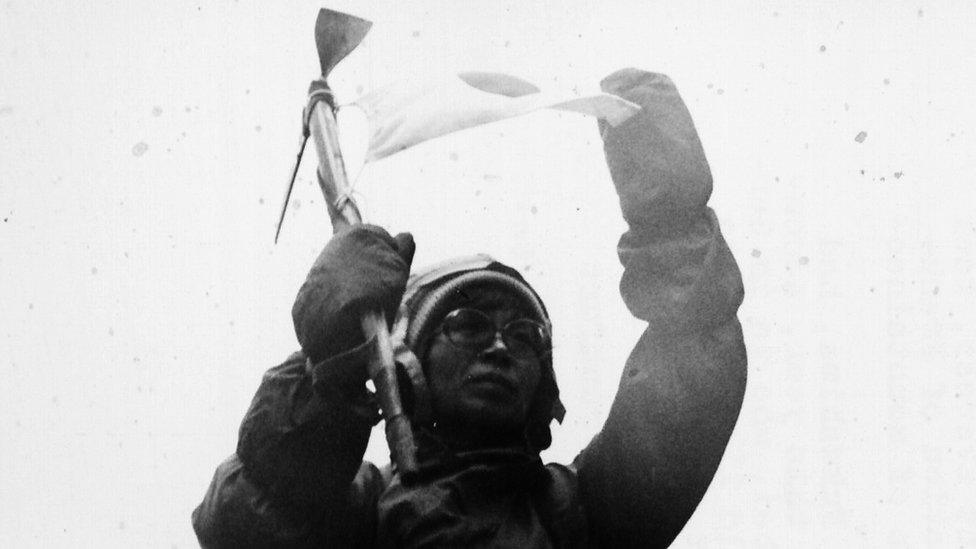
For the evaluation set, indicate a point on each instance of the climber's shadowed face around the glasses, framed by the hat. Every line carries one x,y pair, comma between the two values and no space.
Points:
485,388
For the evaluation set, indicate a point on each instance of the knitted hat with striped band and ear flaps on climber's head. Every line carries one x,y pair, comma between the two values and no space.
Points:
430,293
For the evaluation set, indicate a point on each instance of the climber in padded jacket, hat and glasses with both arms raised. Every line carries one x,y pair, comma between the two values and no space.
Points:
473,341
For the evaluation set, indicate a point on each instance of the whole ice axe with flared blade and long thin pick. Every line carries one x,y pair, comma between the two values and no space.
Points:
337,34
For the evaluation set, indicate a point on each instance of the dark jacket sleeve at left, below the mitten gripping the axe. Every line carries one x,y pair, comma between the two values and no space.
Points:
297,479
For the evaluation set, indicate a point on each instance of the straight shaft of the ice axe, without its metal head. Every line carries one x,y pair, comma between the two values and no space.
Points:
382,368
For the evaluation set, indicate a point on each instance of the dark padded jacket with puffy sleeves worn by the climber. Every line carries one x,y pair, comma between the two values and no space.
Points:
298,480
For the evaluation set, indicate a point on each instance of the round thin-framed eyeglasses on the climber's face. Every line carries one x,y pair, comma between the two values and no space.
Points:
473,330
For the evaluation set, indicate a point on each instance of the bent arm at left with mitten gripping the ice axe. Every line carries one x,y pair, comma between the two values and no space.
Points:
297,479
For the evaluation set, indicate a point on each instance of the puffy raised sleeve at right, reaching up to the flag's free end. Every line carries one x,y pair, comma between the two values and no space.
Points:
683,384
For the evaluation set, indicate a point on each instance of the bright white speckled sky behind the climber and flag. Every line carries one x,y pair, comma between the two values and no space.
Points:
144,148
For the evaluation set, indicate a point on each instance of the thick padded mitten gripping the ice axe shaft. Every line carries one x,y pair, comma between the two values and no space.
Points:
362,268
